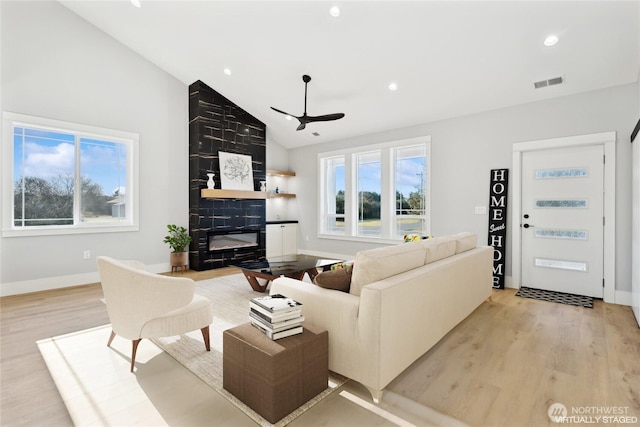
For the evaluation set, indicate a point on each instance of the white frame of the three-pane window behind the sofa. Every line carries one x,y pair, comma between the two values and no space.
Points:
387,208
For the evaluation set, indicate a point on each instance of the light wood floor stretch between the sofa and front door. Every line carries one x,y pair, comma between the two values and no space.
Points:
514,357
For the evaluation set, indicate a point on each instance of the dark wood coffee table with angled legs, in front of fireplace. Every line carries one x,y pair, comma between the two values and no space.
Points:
294,266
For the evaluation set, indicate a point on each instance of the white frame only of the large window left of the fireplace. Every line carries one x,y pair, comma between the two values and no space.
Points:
129,139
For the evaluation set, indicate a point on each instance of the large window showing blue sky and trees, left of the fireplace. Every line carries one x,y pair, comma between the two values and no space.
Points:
69,176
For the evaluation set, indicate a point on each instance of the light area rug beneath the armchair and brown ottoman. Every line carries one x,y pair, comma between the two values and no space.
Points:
66,357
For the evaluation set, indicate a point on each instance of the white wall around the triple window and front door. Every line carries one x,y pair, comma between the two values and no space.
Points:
465,149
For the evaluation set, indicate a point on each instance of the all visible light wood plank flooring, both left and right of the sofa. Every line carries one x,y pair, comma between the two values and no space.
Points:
502,366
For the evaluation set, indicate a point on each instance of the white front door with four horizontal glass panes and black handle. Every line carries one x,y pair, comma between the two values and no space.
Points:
562,221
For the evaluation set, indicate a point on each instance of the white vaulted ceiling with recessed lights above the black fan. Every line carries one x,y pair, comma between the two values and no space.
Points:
447,59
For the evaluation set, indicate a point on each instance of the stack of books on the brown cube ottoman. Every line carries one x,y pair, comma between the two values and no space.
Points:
276,316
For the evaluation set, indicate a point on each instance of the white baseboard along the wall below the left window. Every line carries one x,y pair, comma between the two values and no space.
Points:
59,282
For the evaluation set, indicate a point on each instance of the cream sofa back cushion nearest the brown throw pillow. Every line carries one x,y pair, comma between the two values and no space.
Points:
379,263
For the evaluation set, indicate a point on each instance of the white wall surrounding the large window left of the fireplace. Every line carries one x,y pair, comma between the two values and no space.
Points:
56,65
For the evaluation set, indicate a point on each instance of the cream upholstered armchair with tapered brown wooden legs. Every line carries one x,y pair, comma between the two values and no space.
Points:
146,305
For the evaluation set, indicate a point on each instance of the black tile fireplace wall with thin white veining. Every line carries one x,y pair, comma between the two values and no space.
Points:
217,124
